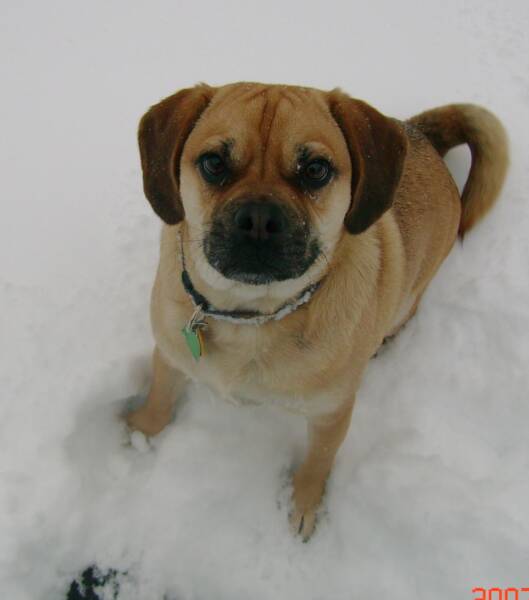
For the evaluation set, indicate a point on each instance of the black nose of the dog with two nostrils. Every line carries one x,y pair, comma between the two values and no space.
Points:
260,220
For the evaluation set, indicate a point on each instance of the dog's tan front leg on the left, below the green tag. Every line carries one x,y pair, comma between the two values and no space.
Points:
167,385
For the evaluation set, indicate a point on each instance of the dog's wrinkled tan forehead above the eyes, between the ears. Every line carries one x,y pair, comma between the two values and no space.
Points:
269,122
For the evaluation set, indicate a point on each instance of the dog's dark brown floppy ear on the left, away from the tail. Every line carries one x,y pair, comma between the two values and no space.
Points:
162,134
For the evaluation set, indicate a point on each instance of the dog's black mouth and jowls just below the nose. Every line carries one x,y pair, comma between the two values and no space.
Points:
241,254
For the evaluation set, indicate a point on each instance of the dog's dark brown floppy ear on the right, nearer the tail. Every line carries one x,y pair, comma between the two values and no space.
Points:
377,147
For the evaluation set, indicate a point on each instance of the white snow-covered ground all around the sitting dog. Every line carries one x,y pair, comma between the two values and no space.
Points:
430,494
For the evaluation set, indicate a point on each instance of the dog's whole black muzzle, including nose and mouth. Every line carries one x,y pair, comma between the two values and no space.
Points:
259,241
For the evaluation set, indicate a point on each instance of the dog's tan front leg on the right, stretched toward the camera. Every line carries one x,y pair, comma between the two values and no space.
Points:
325,437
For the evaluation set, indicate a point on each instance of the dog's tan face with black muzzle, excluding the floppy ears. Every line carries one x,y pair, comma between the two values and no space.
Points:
265,182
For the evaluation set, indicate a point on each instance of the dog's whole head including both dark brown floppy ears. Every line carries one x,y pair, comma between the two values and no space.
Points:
268,178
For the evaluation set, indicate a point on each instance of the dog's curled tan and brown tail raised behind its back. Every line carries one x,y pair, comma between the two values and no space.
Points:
456,124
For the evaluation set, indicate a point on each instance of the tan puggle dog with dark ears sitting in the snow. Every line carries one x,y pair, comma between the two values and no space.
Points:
302,228
